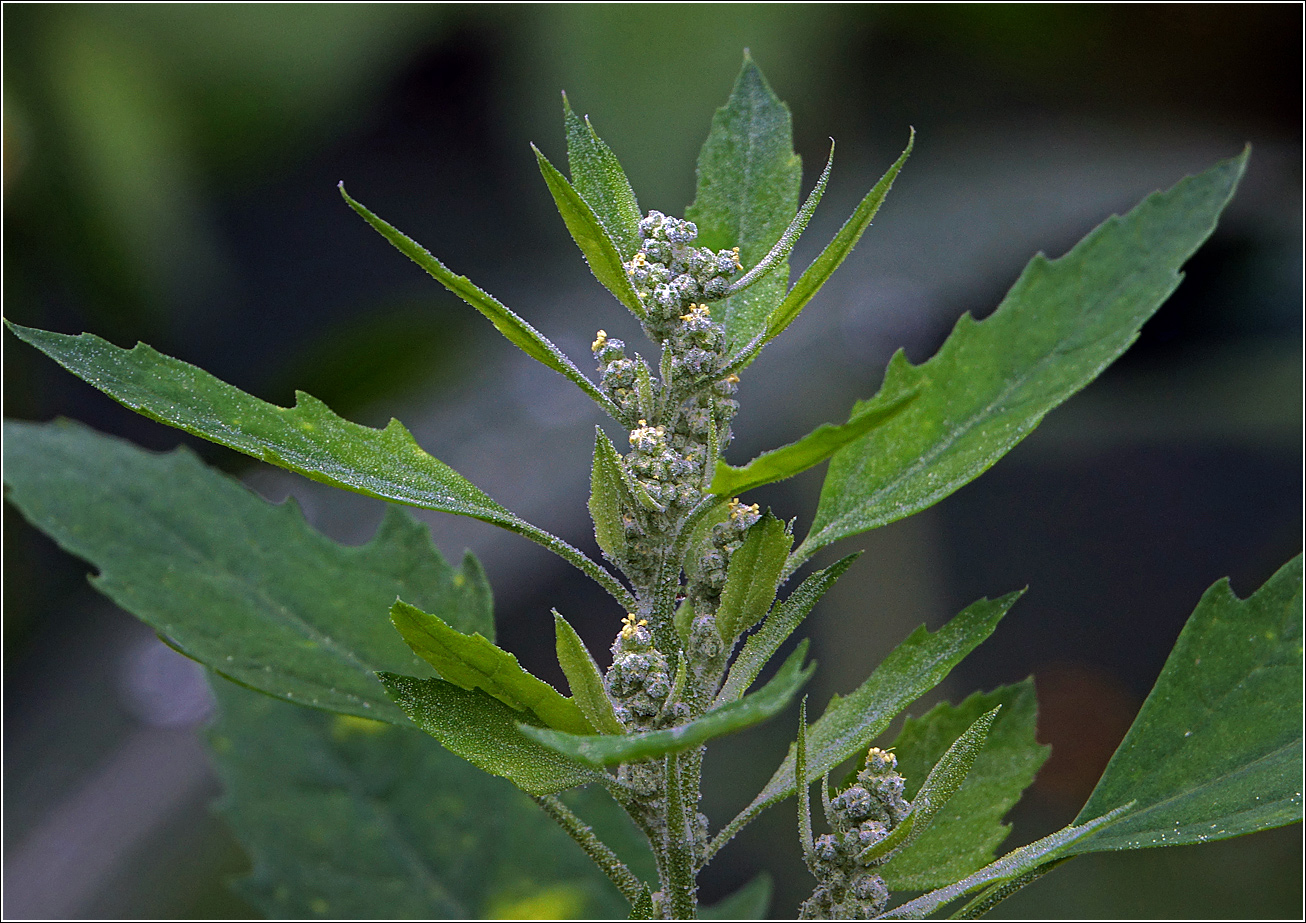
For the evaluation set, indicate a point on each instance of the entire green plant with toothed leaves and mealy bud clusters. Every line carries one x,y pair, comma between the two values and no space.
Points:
353,817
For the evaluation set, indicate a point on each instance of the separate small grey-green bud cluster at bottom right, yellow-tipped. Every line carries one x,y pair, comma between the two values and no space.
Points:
860,817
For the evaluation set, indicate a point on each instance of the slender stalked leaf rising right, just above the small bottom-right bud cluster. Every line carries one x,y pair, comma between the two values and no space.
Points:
851,723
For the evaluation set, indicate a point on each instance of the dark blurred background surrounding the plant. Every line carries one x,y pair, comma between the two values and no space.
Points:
169,177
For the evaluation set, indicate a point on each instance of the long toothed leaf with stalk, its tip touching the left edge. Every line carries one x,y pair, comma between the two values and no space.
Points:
308,439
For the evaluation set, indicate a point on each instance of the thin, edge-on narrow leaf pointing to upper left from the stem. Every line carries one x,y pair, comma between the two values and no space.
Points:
518,331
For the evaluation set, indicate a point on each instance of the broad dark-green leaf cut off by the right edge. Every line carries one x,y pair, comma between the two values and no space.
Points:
1217,750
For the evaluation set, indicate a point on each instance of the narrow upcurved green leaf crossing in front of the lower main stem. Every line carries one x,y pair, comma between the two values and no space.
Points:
608,750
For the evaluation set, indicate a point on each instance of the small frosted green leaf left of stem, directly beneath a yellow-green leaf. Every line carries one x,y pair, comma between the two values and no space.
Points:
484,732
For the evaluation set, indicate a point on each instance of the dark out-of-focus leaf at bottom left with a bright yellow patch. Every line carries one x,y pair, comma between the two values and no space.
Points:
349,819
